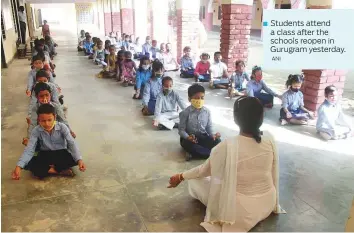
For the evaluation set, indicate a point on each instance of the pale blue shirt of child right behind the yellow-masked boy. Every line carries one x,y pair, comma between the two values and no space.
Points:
168,103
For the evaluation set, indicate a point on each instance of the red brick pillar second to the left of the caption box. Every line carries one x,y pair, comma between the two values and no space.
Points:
187,25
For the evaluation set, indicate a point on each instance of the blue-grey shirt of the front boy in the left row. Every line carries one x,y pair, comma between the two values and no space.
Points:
59,139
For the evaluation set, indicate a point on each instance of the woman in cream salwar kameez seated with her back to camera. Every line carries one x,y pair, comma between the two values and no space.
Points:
239,182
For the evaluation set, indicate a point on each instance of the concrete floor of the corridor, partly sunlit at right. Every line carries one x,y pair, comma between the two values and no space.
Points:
129,163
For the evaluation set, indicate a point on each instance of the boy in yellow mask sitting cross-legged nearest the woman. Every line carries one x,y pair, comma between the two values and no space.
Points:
195,126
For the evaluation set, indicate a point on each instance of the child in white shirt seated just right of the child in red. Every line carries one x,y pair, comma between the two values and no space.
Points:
219,78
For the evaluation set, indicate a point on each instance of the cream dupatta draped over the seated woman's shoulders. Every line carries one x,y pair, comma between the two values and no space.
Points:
223,183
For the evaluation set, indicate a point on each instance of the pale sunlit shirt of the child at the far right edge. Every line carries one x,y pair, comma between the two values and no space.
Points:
330,115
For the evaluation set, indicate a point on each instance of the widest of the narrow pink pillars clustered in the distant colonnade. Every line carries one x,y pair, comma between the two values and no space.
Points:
127,19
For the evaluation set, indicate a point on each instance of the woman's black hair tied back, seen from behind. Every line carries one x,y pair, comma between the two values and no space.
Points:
248,115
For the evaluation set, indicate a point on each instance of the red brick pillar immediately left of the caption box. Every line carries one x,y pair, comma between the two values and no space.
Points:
235,31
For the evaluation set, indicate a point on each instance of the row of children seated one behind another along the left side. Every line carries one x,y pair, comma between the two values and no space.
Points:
50,145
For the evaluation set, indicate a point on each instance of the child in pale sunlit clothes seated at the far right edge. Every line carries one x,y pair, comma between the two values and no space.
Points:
332,124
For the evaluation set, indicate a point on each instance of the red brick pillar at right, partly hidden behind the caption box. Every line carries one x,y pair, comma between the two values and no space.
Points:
317,80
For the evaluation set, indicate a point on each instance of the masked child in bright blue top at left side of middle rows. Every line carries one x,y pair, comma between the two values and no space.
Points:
143,74
